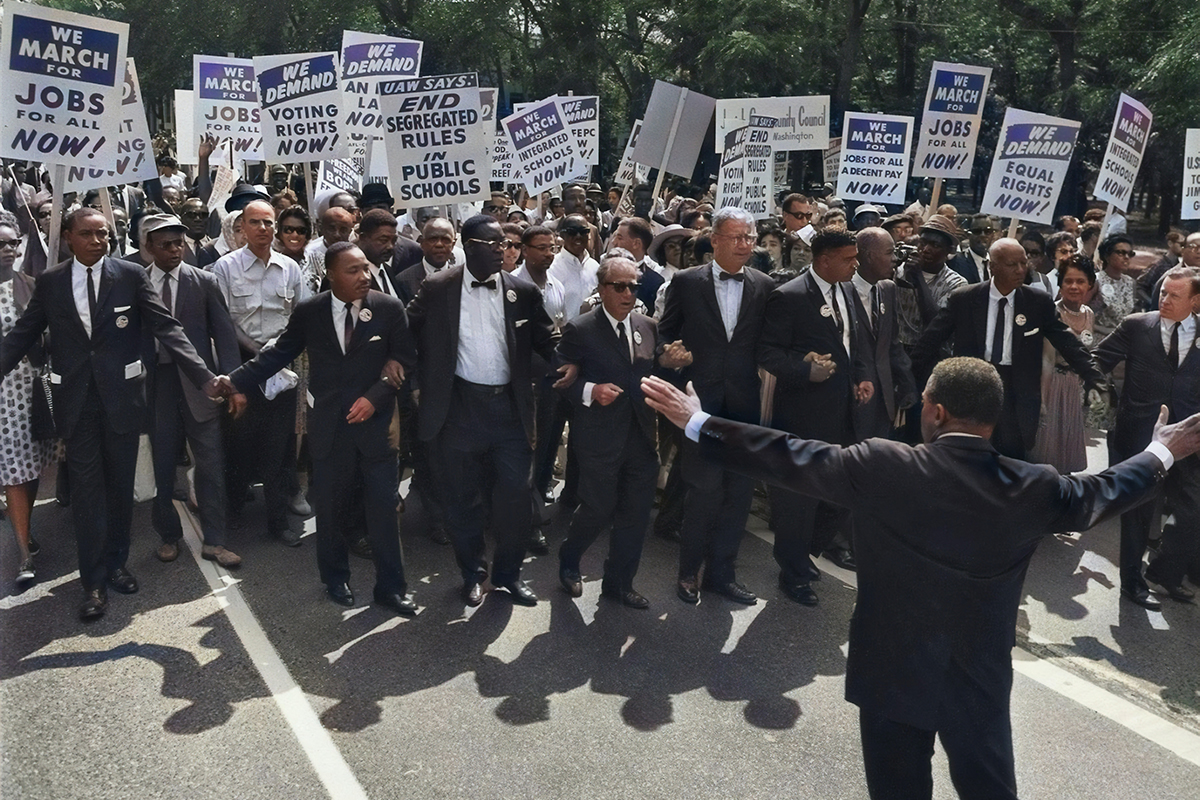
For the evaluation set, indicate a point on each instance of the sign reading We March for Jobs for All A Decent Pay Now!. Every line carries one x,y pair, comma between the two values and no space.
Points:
874,158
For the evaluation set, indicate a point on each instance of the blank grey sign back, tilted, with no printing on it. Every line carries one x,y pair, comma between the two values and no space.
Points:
674,130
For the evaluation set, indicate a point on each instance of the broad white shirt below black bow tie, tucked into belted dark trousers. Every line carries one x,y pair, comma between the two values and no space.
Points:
483,345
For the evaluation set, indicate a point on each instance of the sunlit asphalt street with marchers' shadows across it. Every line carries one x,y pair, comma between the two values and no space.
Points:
209,684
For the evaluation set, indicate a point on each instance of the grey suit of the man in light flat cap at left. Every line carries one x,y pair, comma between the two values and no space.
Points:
179,406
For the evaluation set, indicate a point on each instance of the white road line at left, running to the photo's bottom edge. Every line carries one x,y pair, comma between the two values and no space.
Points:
327,760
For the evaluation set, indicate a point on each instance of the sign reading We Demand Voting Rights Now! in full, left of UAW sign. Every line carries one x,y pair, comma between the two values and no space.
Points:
302,105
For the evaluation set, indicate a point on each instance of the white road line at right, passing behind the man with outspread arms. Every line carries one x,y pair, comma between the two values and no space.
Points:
1145,724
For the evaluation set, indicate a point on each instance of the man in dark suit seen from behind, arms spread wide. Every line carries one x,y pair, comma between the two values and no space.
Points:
945,533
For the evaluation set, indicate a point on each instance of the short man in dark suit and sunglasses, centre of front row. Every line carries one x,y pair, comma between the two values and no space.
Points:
613,432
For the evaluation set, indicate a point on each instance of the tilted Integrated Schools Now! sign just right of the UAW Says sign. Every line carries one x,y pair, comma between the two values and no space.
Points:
543,145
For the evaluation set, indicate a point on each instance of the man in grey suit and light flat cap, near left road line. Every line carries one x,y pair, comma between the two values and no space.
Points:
195,299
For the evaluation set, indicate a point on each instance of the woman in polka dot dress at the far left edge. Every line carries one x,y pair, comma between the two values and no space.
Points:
22,459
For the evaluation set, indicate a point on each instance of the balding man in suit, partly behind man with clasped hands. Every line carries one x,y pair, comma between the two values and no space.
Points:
887,364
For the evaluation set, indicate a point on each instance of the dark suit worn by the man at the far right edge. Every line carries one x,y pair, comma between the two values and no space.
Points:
1153,382
